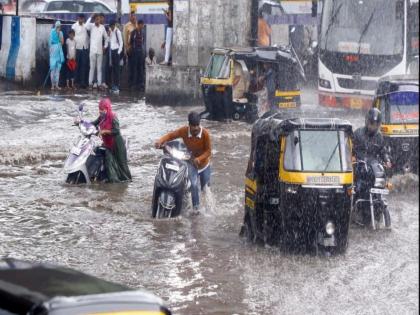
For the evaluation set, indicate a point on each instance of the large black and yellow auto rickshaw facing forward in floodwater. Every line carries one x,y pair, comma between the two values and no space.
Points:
299,184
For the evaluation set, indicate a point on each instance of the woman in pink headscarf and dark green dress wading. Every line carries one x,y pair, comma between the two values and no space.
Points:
116,152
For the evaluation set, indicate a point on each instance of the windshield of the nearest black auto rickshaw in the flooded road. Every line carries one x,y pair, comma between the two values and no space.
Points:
318,151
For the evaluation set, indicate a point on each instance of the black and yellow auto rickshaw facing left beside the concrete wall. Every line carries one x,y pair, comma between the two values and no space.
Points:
233,78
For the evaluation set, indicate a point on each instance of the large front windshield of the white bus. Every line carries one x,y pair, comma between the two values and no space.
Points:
371,27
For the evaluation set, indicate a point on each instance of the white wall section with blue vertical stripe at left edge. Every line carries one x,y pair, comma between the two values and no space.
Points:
17,52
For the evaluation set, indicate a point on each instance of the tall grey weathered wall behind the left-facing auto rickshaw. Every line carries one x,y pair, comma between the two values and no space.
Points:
201,25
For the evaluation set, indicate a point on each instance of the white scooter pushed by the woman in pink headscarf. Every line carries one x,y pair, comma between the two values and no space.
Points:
86,161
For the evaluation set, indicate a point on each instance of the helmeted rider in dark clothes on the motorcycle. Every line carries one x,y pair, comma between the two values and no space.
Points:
368,140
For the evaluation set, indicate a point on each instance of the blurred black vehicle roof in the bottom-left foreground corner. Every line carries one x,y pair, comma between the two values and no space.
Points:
41,289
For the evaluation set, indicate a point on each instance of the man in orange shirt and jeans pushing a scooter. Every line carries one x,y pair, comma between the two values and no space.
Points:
197,140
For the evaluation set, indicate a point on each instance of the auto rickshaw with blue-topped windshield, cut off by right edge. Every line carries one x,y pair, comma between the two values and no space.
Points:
398,99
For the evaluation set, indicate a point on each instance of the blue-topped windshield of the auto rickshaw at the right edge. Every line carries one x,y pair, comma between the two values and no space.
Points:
403,107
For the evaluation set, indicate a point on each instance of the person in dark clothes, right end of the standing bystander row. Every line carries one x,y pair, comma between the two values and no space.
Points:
138,59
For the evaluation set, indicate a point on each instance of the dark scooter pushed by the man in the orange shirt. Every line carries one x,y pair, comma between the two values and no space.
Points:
172,183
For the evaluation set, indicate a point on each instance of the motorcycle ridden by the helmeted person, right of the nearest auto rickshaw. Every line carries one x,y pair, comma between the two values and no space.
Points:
369,202
